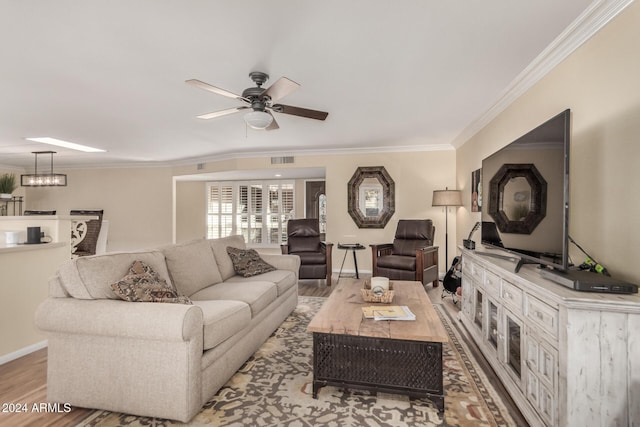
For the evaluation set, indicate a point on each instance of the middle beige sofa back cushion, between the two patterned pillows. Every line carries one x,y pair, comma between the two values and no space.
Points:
192,266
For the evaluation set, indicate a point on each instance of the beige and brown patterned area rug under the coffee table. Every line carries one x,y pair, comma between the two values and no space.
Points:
274,389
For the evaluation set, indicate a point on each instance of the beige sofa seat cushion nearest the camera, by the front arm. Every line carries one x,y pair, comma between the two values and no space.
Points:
222,319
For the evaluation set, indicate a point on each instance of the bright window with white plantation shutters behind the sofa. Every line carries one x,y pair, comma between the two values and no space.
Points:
257,210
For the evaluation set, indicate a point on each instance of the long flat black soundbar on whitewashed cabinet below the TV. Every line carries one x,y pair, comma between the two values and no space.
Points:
587,281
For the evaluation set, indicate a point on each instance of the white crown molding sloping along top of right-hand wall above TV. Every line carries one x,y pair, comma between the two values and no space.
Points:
592,20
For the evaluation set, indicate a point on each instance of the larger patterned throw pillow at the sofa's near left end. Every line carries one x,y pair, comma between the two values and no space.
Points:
143,284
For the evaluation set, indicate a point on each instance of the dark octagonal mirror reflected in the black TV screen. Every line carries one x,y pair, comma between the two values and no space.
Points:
517,198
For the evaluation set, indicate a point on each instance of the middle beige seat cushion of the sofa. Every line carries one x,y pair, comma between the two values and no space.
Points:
258,294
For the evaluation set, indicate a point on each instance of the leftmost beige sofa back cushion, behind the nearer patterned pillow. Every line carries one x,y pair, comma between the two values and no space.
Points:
91,277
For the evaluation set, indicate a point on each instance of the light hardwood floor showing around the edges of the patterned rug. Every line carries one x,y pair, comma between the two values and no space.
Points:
24,380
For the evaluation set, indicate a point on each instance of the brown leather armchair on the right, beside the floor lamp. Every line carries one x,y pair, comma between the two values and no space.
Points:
411,256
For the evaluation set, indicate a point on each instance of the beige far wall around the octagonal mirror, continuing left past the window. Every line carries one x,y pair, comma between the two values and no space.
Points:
138,202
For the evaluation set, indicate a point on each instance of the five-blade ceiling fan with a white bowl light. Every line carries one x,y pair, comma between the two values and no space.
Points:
261,102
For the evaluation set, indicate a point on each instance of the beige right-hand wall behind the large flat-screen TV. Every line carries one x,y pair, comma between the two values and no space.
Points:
599,83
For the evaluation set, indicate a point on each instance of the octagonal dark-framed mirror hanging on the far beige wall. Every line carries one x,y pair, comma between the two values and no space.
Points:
371,197
